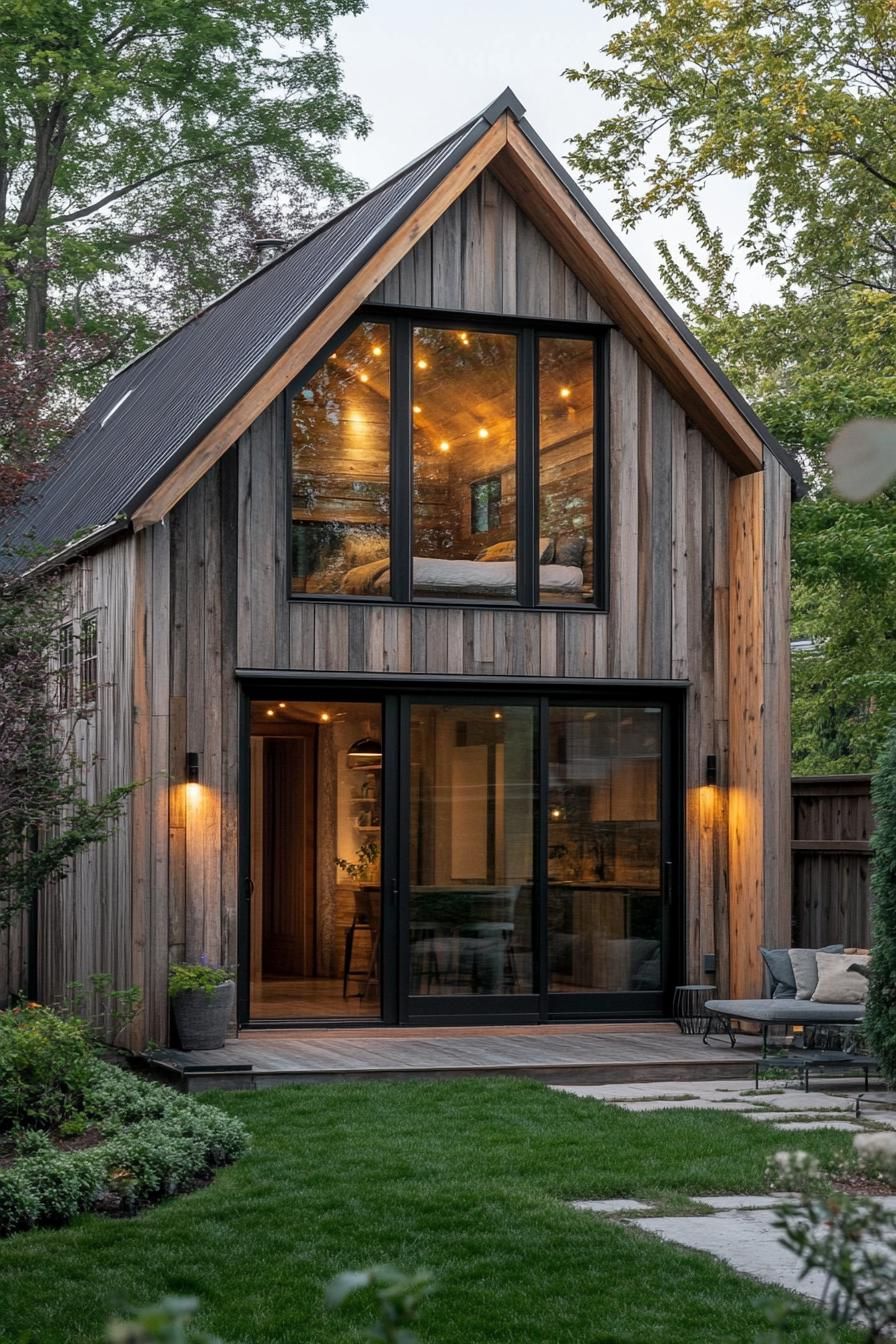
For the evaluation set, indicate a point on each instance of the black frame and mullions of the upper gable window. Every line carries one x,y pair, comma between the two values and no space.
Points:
529,333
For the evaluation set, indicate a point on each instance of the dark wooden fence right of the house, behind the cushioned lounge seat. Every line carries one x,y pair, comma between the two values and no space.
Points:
832,861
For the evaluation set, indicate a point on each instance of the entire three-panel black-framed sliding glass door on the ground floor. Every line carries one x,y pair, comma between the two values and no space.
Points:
460,858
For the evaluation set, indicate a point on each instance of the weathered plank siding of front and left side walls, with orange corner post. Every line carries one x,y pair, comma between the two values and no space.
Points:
206,592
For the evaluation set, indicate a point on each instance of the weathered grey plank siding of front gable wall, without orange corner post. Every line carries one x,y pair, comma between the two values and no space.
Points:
214,584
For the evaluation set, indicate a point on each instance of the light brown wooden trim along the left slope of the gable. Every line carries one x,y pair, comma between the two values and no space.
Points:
322,330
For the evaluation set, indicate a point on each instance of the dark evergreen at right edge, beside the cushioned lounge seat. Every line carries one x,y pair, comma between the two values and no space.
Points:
881,1014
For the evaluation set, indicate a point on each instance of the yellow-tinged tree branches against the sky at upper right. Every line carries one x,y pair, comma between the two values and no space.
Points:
799,97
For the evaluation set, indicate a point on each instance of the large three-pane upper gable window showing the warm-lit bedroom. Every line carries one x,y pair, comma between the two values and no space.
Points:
443,463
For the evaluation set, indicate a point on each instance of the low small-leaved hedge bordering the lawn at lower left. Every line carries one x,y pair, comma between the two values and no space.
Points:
155,1143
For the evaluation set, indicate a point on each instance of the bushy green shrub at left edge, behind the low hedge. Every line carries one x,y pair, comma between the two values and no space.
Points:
46,1068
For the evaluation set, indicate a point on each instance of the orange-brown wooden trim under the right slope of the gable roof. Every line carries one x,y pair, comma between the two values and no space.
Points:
568,228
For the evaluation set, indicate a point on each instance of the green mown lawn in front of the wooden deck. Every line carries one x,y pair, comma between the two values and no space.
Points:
464,1178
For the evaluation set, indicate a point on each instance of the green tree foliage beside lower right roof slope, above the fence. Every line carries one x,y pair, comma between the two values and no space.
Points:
809,366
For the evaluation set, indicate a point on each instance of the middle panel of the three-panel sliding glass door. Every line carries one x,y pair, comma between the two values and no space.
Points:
471,861
